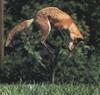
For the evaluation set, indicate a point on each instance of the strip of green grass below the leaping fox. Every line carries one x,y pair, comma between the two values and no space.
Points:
49,89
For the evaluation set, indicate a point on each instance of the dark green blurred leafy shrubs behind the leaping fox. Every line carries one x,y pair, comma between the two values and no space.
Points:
27,60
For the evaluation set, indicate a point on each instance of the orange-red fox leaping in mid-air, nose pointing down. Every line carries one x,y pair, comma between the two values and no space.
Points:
44,18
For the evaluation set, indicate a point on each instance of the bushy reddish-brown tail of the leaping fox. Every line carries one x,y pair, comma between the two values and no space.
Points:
18,28
